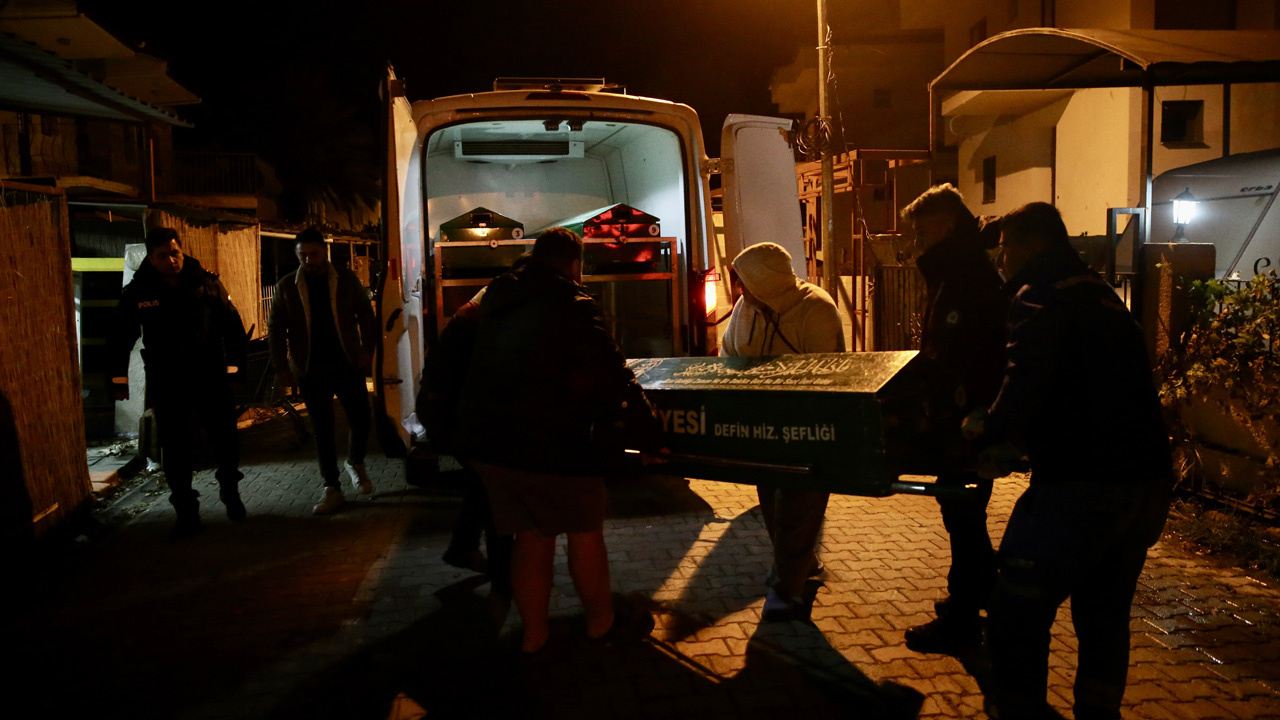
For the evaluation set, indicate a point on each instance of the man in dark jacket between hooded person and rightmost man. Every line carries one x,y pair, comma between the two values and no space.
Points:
964,332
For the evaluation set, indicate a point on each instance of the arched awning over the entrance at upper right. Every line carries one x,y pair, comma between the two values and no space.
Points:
1052,60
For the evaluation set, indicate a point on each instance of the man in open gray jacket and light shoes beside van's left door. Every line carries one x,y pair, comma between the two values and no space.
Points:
323,334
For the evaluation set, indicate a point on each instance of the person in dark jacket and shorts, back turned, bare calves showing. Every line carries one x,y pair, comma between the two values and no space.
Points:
547,386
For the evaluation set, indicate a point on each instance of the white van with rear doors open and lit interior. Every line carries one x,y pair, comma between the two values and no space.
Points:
541,153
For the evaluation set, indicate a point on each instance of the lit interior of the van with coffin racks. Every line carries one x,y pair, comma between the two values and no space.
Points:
547,172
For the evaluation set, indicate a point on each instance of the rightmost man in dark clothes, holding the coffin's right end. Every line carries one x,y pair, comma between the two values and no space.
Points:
1080,400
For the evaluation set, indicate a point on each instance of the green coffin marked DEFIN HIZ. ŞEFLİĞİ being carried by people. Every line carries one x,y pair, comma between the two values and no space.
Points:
844,423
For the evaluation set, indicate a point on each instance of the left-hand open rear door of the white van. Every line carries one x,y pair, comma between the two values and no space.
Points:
399,367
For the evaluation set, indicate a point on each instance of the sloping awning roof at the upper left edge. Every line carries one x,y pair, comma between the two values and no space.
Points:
38,81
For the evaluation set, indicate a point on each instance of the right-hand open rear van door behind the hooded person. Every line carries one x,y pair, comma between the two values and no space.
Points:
758,176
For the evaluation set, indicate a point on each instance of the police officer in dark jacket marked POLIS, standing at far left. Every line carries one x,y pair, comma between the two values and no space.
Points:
194,348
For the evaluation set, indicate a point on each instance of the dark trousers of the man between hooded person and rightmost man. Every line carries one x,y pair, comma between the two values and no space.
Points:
973,560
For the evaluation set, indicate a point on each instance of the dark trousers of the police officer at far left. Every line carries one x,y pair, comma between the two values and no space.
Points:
184,408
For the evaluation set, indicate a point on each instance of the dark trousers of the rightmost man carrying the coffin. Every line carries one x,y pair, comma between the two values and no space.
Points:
1089,543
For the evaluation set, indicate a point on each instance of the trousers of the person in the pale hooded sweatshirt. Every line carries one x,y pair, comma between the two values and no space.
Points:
794,521
